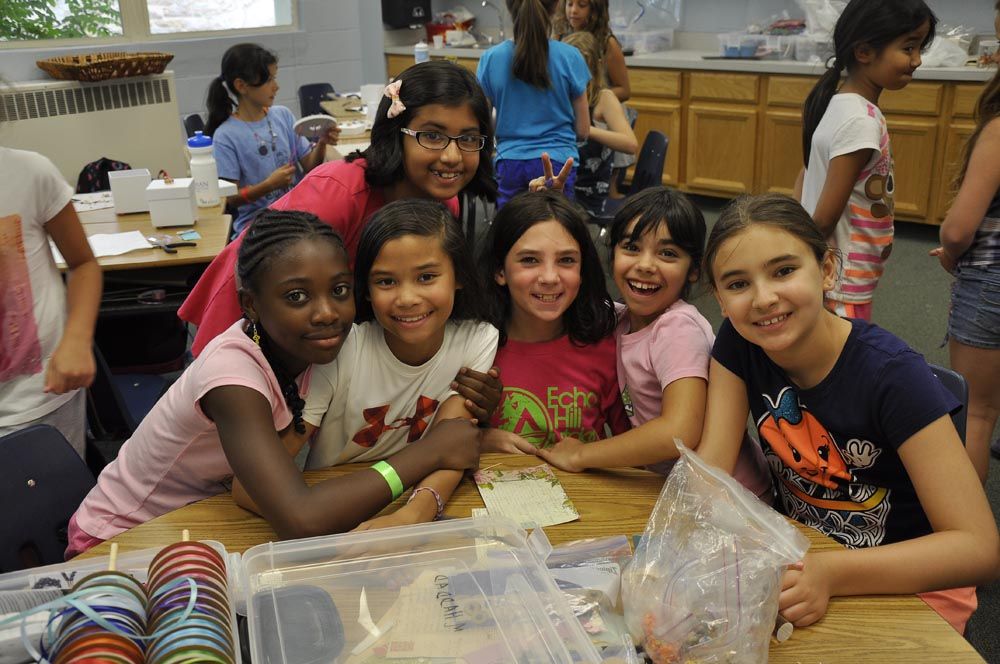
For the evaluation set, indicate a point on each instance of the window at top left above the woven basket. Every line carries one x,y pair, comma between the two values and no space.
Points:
24,22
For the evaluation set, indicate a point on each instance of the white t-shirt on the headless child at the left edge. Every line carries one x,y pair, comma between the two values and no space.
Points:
32,296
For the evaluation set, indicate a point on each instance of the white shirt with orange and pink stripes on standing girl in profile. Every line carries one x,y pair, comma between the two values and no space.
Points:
864,233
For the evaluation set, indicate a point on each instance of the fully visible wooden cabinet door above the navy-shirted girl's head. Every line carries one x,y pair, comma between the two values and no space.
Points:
721,142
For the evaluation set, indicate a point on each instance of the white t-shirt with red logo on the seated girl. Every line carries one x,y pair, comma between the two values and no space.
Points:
368,404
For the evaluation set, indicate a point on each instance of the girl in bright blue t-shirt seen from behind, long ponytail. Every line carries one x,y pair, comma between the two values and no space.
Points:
539,89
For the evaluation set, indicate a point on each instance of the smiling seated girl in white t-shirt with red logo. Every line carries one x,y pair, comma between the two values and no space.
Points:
420,312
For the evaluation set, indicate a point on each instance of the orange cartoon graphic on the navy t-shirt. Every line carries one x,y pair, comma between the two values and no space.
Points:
815,475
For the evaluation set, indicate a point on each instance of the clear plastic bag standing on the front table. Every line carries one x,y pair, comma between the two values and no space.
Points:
703,582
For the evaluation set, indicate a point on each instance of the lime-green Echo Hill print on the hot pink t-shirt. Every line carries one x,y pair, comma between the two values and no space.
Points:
537,421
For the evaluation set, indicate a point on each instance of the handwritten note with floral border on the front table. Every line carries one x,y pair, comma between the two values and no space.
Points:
530,496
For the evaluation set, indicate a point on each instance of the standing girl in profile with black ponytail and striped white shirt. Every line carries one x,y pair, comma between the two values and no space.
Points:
847,184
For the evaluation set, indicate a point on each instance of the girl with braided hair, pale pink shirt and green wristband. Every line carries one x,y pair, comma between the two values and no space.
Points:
232,414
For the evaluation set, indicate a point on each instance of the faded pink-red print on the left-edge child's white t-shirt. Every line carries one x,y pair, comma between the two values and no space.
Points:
22,350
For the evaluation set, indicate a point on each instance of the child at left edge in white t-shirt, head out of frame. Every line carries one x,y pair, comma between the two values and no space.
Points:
46,328
